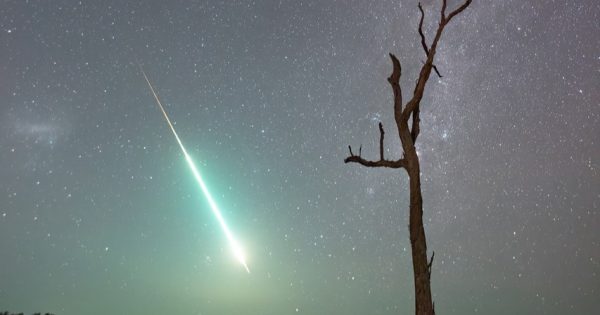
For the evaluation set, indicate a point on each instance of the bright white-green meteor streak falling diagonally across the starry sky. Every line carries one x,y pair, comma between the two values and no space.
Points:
235,246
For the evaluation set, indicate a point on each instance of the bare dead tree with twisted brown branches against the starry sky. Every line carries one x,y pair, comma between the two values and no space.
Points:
410,160
